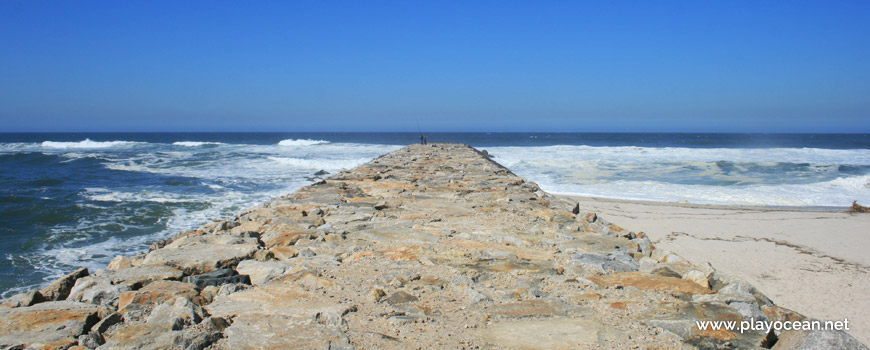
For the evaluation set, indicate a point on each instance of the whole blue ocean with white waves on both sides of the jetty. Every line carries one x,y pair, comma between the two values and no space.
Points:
69,200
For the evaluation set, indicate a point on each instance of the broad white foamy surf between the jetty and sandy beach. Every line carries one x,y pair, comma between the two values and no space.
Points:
766,177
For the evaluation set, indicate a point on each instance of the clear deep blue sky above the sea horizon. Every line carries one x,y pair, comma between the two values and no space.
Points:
756,66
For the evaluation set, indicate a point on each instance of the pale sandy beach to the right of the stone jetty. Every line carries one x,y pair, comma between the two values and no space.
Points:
812,261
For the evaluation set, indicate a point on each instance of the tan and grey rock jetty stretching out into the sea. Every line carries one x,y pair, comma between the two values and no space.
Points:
429,247
